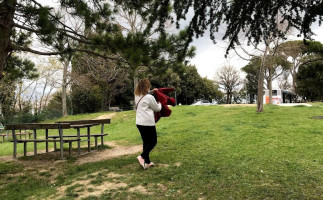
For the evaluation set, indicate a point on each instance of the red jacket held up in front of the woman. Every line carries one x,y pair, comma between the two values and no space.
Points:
165,100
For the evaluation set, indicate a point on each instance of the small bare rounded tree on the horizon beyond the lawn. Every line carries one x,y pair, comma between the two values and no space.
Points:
228,79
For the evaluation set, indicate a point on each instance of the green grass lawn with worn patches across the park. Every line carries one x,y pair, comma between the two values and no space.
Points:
203,152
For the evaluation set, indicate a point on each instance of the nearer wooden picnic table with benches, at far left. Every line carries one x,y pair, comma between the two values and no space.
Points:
33,126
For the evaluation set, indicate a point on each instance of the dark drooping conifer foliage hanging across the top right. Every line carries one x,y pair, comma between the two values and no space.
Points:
256,19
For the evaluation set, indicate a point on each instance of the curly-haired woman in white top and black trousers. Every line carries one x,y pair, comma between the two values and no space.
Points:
145,120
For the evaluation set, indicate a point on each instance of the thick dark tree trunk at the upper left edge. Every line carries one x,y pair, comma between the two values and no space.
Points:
6,25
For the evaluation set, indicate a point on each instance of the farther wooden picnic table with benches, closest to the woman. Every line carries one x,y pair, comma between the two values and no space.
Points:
87,124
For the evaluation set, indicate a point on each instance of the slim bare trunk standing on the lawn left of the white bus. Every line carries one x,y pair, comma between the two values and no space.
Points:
260,93
